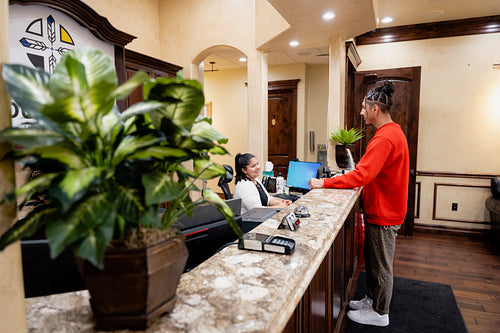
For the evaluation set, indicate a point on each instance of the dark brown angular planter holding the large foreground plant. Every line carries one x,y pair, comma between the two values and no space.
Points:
136,286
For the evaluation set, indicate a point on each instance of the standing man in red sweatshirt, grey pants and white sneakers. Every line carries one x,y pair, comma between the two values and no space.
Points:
384,172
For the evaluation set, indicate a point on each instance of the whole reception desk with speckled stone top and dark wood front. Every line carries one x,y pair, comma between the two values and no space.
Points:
246,291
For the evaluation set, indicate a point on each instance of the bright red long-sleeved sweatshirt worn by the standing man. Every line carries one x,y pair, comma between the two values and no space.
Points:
384,172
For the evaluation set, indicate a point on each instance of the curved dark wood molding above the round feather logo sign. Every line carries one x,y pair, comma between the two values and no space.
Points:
86,16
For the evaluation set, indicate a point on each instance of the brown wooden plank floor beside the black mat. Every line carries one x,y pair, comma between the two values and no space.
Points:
468,265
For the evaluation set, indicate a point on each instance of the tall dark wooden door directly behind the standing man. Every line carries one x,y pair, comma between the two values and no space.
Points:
404,111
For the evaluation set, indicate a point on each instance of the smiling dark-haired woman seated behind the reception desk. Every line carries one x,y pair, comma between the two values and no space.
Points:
249,188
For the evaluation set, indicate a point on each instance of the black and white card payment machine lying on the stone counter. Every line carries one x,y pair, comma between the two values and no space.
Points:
266,243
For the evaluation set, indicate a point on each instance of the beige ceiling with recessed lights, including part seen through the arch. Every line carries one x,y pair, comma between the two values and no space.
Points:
352,18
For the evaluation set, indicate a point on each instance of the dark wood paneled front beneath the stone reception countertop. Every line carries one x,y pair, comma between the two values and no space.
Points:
323,305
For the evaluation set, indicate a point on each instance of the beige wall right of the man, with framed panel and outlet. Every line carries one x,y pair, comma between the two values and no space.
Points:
459,119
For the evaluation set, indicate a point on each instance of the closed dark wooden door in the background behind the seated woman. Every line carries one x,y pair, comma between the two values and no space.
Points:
282,124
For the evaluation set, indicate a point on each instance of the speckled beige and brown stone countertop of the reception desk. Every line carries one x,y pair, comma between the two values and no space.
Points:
234,290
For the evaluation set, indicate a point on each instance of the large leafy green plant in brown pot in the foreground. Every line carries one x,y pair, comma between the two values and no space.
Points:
105,177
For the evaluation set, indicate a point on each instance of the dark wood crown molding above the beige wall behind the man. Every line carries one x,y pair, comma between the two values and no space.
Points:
473,26
